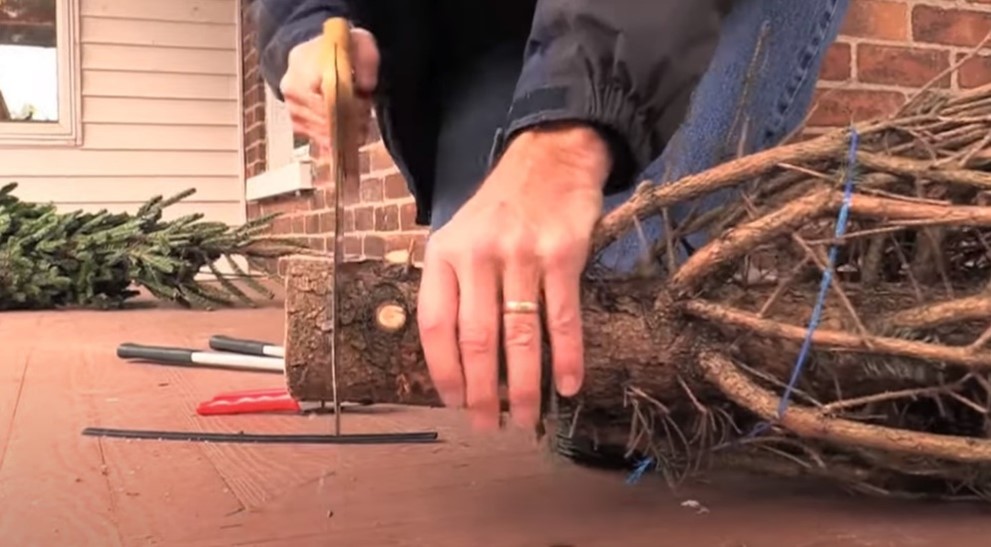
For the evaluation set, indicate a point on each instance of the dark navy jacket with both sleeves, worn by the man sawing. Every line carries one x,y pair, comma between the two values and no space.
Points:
627,67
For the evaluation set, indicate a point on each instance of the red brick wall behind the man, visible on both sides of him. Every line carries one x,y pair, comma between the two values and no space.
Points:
887,49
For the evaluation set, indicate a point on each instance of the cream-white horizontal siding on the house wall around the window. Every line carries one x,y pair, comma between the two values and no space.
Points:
160,112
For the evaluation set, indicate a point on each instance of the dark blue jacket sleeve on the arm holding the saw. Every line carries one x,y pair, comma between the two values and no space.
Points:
284,24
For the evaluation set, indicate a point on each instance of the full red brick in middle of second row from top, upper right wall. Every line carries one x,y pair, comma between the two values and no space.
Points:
904,66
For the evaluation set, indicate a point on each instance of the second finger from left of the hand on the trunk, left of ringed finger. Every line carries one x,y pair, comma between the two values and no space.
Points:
478,336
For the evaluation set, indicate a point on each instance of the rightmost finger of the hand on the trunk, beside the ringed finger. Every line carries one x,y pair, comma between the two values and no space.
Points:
562,294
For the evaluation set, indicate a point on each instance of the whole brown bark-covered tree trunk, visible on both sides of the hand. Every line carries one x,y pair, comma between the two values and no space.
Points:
635,334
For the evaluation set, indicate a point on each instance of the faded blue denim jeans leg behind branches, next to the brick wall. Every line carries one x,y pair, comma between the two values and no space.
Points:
757,90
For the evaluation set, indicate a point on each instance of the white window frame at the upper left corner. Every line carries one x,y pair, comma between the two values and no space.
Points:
67,130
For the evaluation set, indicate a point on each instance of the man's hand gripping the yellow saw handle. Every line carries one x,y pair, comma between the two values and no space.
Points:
301,86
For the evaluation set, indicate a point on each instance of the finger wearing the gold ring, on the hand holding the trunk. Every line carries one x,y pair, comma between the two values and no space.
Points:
521,335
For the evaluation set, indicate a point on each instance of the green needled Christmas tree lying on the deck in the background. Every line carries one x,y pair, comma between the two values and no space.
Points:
51,259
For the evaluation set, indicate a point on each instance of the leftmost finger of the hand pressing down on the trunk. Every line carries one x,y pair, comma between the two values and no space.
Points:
437,315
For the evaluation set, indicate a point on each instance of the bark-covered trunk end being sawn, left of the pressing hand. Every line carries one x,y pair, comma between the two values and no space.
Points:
380,360
